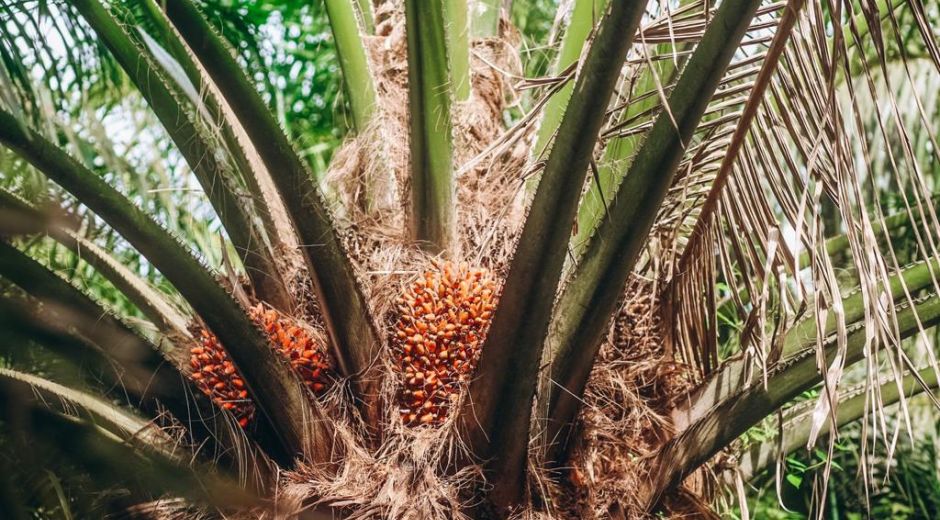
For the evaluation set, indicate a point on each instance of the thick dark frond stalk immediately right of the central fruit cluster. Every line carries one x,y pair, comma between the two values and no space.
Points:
496,417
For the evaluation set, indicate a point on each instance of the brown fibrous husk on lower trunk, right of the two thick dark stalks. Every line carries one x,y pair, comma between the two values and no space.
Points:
625,418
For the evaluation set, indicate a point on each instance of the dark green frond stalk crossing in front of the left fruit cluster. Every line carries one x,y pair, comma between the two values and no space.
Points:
276,390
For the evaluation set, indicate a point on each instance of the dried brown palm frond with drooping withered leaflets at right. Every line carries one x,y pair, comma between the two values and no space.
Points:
754,216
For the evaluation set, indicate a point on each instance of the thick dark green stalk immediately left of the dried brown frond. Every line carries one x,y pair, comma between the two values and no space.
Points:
590,298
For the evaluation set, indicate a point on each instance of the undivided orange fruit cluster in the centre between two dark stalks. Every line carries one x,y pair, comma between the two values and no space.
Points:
439,327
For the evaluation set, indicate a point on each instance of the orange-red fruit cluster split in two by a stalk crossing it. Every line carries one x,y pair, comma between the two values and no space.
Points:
217,377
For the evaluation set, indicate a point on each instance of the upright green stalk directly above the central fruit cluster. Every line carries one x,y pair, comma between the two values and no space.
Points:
429,99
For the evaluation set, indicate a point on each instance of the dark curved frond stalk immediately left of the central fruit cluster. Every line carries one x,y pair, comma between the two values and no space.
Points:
355,340
